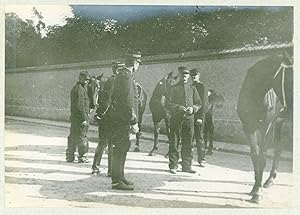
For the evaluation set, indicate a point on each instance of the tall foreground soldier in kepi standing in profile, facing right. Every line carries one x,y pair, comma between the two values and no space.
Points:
124,118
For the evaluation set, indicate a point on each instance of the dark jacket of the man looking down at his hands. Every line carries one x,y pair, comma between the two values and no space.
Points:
182,94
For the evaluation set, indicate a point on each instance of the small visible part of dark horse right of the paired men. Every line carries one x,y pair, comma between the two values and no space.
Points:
214,100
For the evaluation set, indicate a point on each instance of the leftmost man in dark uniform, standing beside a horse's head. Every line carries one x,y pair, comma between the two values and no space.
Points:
79,120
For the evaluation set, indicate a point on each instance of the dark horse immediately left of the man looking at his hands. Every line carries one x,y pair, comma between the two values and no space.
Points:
158,110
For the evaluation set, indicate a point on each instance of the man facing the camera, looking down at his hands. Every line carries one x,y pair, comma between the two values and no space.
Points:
183,102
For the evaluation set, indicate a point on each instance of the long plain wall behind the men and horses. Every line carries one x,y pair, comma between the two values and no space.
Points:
43,92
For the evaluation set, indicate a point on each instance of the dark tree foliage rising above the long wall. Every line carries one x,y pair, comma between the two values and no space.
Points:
83,39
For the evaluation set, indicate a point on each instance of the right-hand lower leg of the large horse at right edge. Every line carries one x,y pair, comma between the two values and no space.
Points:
277,151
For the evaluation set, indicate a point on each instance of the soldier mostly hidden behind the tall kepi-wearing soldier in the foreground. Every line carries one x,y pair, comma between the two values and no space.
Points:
104,124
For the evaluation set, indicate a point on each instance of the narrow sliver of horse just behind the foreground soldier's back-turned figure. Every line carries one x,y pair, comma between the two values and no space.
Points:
142,101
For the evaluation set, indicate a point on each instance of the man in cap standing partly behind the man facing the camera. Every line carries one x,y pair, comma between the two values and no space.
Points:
200,115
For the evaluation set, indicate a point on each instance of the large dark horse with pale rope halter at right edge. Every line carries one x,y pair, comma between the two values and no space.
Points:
265,102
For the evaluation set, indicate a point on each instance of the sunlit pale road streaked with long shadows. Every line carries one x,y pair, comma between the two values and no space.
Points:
36,175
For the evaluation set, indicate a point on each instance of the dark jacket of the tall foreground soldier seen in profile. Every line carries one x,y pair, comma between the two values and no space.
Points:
124,99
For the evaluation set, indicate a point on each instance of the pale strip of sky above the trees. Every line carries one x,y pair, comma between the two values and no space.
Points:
56,14
